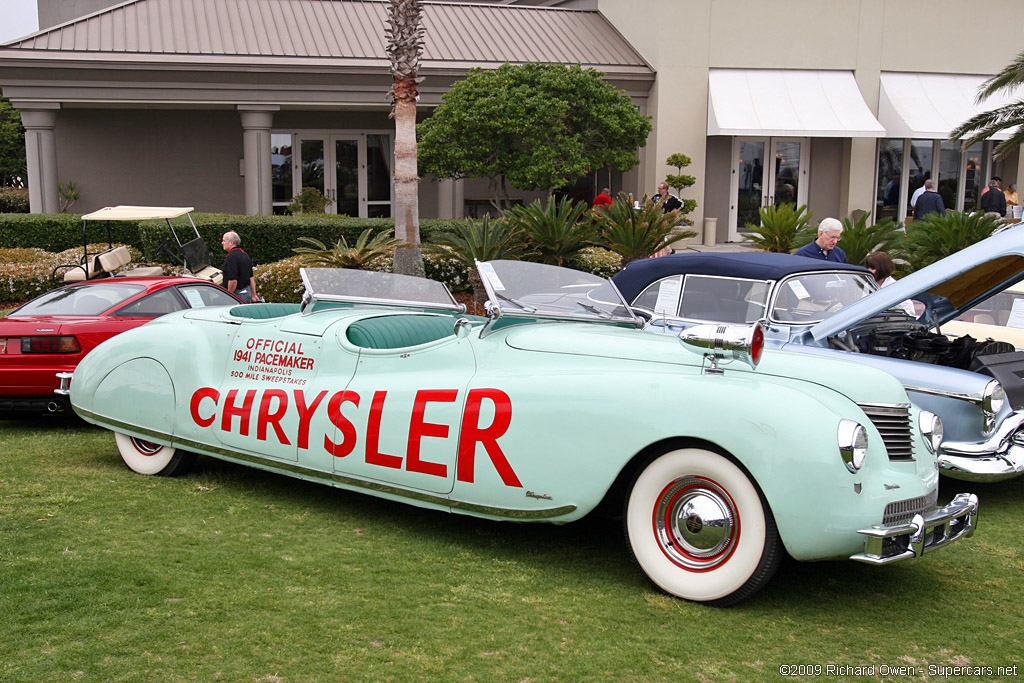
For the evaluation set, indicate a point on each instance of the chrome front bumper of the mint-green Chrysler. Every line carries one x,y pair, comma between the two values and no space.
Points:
922,535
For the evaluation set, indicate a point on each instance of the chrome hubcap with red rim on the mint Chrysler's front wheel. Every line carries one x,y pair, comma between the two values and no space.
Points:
697,524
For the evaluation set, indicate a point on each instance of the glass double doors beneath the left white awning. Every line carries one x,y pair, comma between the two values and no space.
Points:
754,187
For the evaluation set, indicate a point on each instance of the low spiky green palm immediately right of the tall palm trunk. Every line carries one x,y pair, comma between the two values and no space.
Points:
478,241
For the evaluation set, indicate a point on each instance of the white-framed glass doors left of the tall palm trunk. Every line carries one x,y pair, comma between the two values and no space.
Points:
352,170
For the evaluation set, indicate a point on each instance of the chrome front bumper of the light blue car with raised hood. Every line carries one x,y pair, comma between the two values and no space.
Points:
1000,457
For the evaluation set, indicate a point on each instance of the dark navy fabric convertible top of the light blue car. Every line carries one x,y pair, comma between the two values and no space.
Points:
752,266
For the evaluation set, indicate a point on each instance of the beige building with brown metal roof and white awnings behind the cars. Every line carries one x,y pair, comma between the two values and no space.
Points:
233,105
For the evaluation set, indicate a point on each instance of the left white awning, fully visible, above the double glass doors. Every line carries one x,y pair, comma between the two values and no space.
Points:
793,103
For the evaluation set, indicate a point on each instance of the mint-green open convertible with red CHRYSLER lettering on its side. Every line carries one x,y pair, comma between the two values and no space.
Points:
378,383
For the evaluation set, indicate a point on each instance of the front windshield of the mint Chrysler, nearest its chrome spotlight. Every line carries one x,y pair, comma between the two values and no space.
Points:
537,290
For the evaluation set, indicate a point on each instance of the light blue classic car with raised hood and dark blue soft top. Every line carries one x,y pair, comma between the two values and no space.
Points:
975,387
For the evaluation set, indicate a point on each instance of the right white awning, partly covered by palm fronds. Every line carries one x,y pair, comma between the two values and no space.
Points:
929,106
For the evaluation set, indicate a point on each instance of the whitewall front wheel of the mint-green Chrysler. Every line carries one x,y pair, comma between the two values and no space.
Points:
700,529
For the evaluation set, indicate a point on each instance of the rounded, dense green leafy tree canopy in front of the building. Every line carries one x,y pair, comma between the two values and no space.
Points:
538,126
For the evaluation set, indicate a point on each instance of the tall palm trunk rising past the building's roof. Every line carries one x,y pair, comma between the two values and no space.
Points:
405,35
